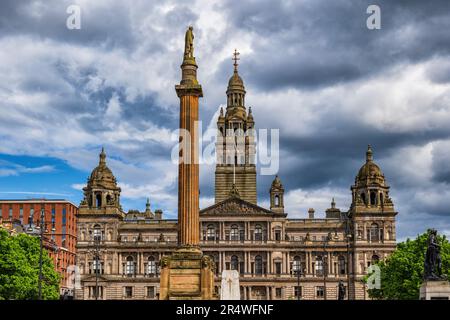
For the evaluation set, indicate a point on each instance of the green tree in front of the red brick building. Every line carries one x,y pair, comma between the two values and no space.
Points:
19,269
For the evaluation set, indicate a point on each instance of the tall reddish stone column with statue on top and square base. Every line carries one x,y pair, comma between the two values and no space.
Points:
187,273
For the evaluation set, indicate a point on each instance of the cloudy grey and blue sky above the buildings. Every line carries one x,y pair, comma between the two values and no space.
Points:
312,69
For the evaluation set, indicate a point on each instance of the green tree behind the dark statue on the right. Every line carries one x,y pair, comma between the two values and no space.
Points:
402,271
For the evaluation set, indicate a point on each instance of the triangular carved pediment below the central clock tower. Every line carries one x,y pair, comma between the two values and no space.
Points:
234,206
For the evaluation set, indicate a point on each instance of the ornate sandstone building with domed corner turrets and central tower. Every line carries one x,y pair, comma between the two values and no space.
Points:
277,257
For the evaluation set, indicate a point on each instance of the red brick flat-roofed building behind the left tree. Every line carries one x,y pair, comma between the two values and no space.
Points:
60,215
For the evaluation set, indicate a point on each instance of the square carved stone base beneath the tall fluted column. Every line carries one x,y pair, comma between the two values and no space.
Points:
187,275
